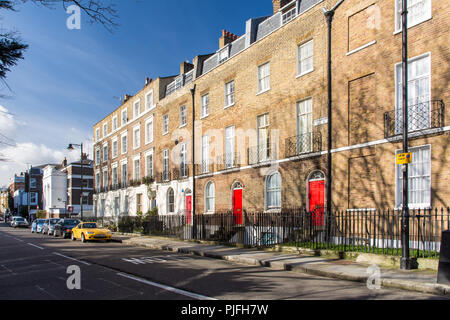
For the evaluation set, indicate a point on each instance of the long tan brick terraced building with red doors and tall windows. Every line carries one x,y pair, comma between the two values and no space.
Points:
261,117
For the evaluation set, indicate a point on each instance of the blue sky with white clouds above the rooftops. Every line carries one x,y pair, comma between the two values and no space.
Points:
71,79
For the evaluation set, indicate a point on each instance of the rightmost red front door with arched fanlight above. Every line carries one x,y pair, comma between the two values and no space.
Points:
316,197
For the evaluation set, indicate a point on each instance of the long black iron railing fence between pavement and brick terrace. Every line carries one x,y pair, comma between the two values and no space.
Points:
367,231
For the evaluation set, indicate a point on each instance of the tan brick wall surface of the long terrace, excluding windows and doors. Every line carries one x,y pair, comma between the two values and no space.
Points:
366,49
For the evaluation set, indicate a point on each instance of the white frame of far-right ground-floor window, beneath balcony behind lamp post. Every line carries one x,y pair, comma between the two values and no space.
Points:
399,180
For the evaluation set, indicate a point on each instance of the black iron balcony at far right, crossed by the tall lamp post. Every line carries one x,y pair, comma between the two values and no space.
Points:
421,116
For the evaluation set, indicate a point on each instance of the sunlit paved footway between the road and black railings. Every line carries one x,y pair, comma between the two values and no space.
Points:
414,280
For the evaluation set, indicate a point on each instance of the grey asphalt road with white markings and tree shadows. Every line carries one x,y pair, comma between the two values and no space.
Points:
34,267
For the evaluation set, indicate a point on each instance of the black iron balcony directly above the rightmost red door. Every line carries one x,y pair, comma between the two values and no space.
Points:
303,144
